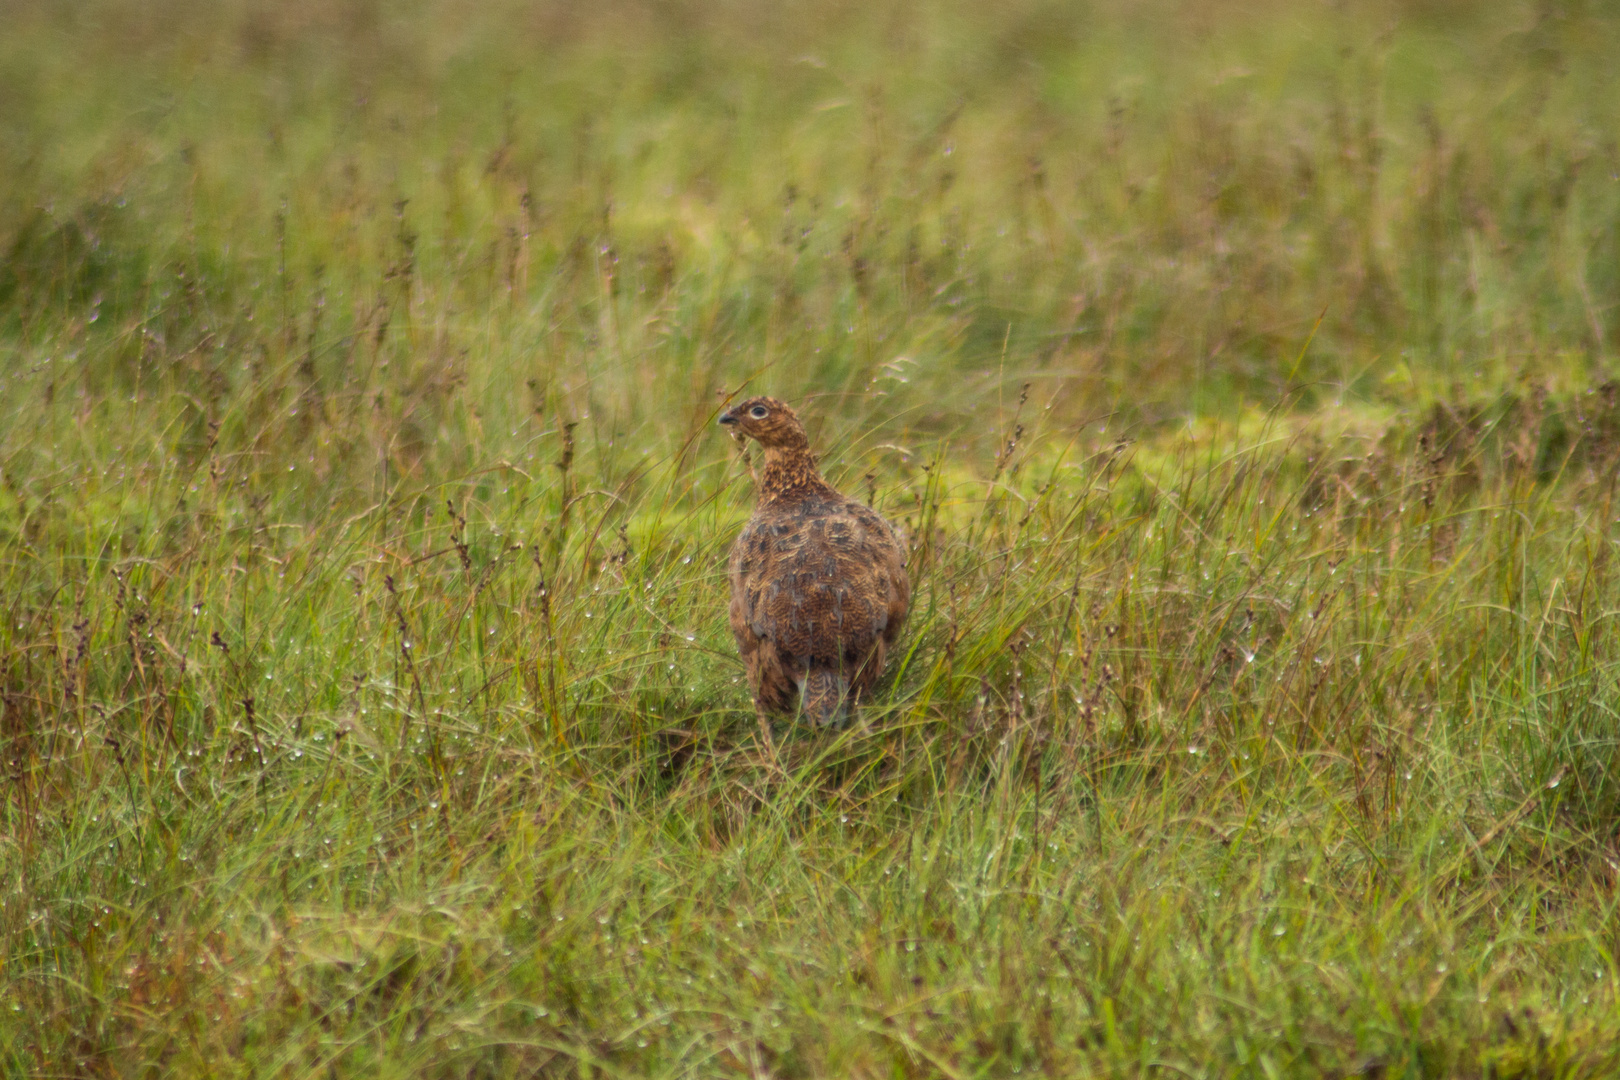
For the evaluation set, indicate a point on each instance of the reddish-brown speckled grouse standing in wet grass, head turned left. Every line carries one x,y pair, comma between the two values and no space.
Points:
819,585
